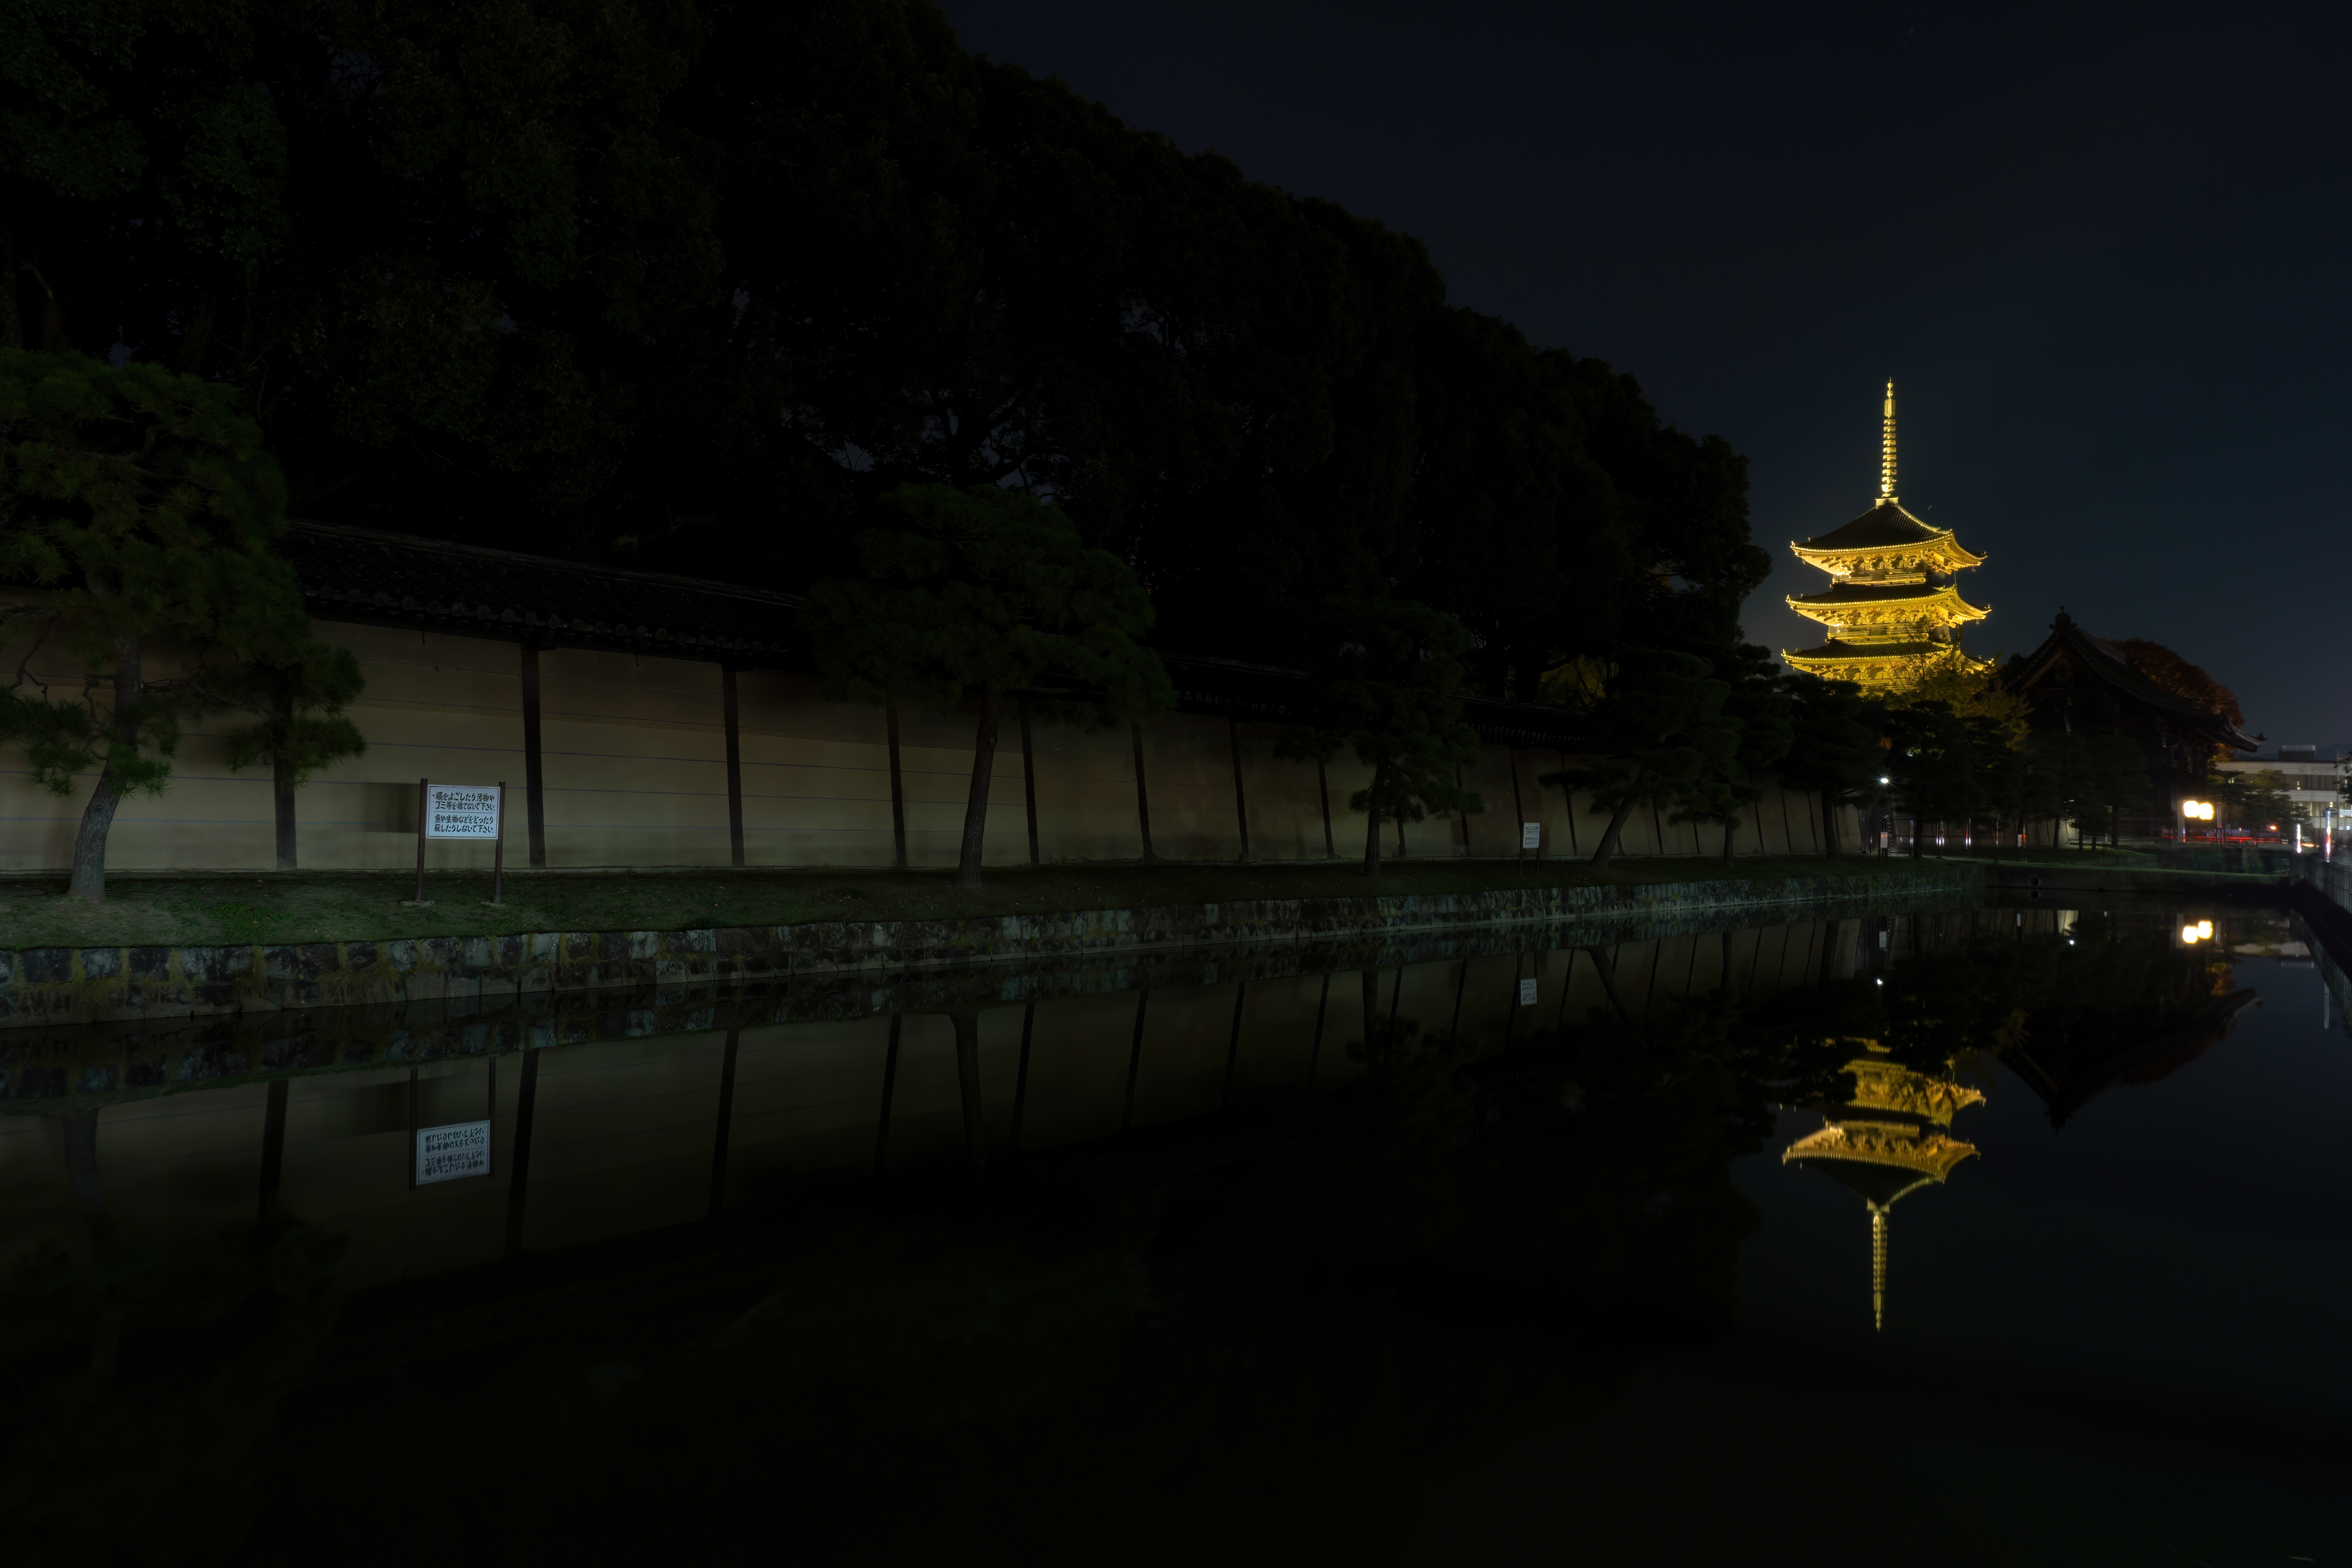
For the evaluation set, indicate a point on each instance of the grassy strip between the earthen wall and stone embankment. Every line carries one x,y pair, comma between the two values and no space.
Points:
366,906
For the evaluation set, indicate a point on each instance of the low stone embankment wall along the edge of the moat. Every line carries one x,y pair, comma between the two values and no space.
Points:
51,986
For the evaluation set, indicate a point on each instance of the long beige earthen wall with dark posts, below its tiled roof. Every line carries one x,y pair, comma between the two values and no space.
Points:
636,777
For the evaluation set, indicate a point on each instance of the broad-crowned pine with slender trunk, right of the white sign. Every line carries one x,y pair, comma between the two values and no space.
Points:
977,594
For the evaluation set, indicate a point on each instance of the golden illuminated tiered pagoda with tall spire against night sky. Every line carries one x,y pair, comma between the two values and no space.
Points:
1892,605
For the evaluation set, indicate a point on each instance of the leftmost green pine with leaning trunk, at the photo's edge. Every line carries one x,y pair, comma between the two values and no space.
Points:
140,507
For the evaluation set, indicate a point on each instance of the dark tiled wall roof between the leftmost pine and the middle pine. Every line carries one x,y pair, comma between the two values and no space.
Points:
396,579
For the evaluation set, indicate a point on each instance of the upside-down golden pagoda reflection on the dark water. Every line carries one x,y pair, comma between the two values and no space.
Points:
1885,1144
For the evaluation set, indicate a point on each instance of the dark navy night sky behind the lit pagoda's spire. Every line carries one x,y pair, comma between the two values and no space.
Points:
2099,250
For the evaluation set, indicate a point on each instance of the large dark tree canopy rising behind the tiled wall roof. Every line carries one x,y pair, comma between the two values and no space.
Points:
695,283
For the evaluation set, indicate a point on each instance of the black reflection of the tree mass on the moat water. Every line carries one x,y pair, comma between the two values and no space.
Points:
1257,1336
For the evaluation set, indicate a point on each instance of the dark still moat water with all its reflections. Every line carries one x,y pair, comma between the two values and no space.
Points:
1996,1235
